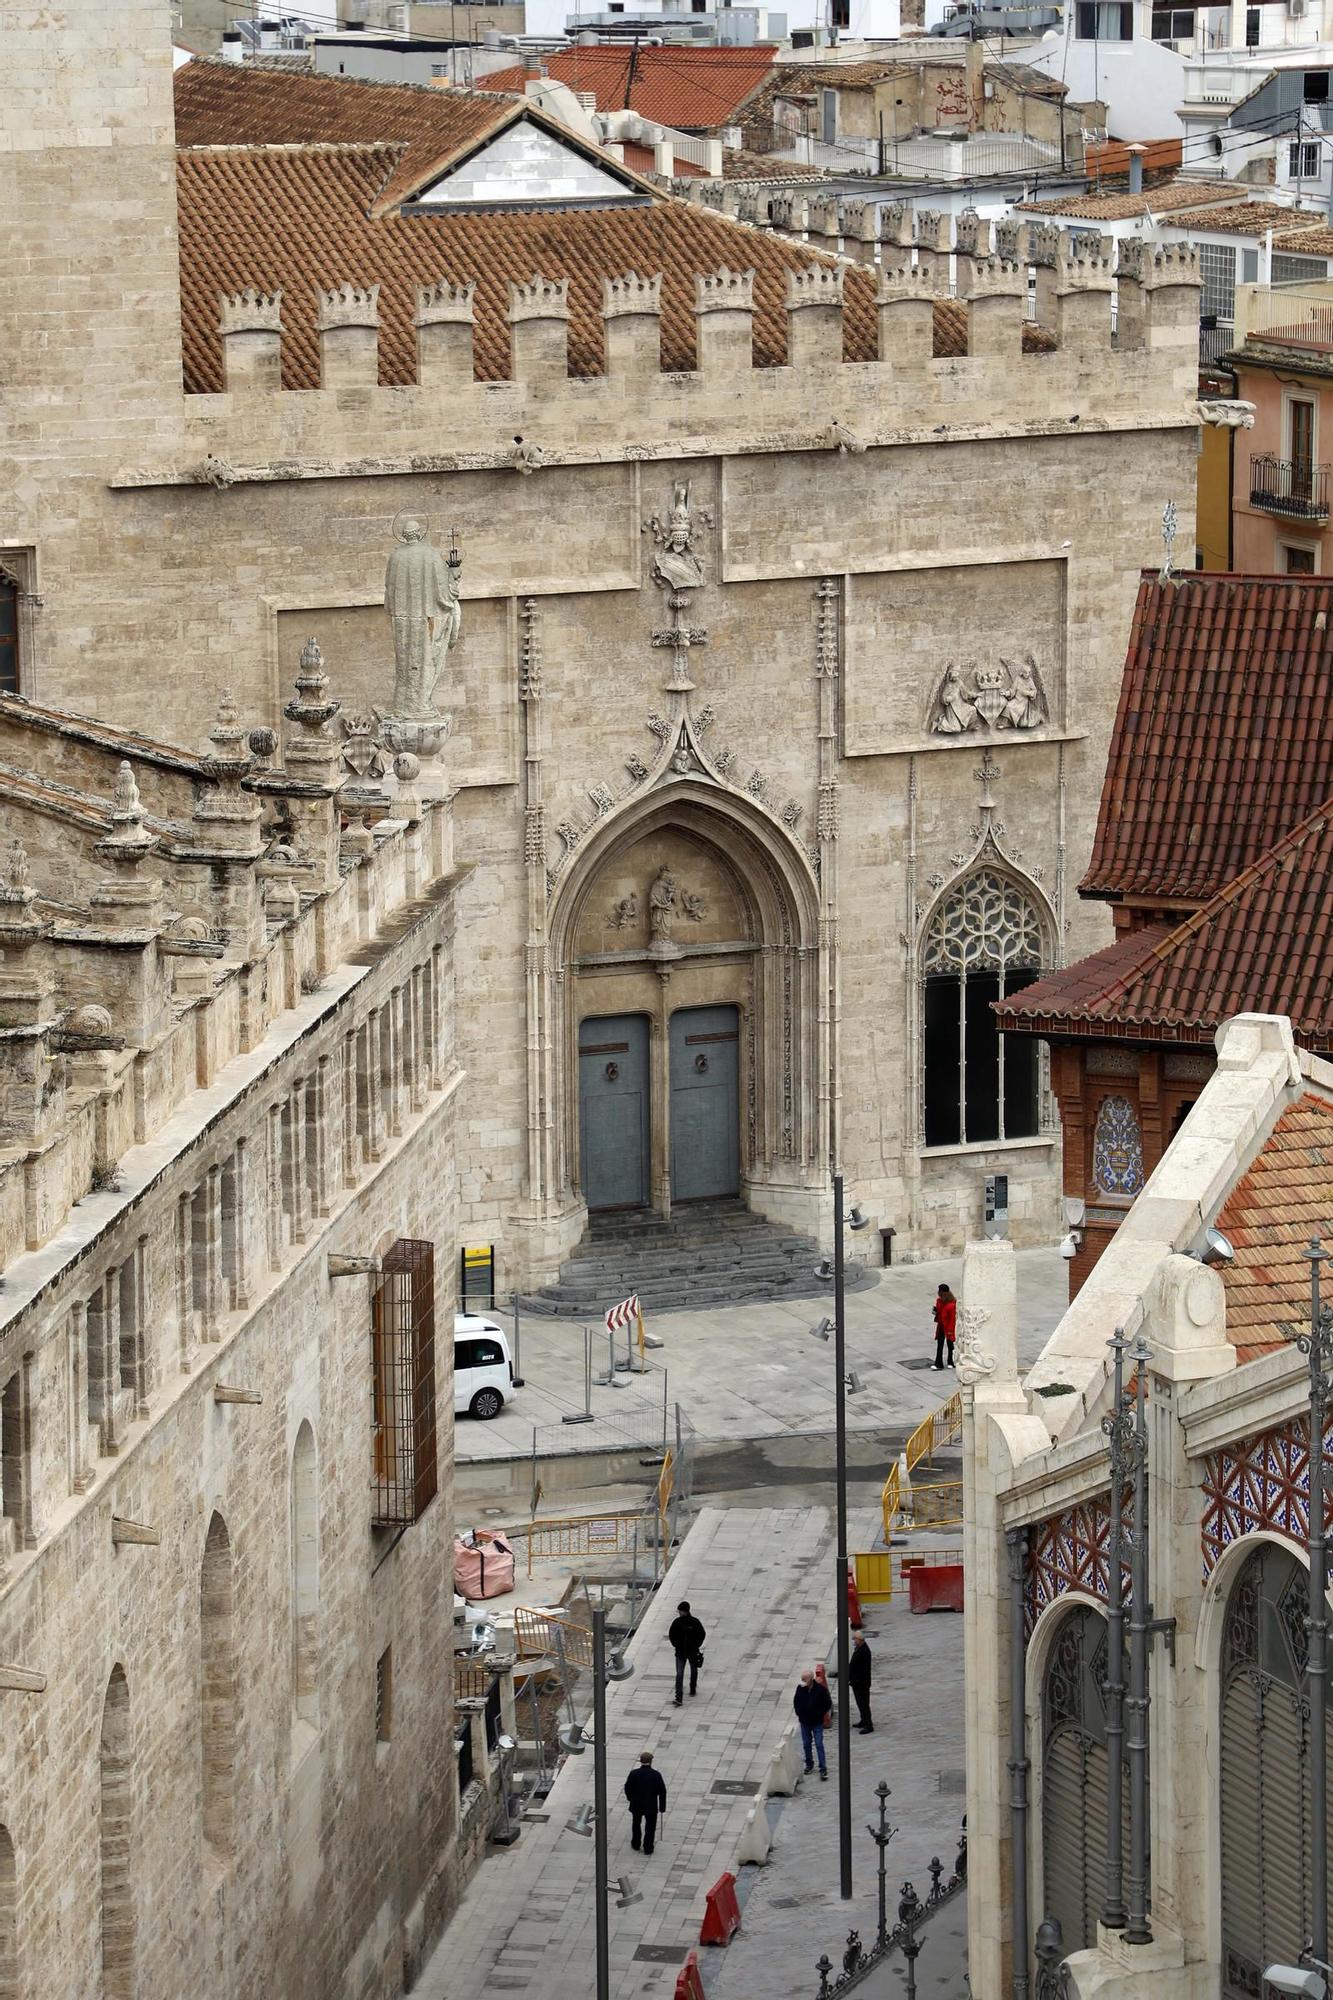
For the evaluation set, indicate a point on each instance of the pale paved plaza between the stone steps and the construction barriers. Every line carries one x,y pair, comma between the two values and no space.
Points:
756,1371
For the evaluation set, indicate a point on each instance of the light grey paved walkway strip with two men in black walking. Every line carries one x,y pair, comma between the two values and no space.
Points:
762,1581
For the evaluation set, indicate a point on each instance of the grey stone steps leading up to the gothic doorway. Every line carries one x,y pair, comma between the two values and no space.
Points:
708,1255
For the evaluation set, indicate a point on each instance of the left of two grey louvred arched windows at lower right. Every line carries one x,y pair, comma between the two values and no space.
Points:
1074,1777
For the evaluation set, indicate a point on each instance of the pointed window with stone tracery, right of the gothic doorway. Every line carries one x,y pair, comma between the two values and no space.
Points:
984,943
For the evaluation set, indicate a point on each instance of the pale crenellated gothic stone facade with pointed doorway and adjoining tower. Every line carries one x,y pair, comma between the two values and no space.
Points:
906,593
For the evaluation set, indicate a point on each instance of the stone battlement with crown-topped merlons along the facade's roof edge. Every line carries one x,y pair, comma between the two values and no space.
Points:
878,335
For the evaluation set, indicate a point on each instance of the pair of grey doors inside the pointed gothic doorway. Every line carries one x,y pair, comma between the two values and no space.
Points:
700,1105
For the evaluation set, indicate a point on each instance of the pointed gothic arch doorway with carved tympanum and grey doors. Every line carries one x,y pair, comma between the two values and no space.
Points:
690,937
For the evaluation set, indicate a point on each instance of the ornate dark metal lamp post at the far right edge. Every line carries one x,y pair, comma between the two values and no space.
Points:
1318,1349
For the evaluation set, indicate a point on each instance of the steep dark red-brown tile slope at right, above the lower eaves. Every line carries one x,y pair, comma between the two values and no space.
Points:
1224,735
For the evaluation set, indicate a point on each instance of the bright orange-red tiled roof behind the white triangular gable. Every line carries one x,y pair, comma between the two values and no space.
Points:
690,89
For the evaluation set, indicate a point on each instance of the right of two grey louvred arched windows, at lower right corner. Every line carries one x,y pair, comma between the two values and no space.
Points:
1264,1771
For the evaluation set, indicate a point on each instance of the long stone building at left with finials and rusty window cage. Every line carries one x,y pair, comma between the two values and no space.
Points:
225,1533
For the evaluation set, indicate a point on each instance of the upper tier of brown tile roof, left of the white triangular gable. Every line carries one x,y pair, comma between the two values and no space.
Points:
241,105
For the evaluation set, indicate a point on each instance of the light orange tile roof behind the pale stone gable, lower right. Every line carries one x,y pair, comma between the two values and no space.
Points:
1270,1219
